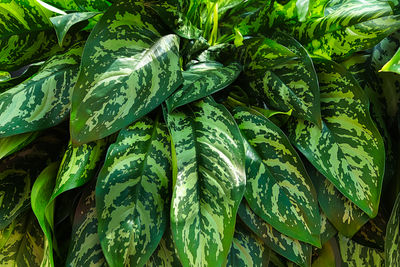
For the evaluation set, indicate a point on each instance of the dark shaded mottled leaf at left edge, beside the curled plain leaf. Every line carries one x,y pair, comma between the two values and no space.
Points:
15,189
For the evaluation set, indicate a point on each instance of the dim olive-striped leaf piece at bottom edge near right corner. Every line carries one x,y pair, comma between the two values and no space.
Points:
356,255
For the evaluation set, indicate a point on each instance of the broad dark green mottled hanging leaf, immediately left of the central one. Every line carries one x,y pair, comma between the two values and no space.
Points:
132,193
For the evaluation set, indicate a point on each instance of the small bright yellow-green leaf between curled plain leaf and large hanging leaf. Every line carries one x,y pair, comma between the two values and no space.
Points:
78,166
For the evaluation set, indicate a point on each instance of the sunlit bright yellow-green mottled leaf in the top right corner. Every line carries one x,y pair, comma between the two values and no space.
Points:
349,27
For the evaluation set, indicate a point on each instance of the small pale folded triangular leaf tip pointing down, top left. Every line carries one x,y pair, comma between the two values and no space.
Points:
63,23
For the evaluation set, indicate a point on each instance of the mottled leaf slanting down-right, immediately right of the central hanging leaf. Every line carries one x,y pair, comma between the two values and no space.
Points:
278,188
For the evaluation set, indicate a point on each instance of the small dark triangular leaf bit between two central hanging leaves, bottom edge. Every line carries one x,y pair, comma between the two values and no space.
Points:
165,254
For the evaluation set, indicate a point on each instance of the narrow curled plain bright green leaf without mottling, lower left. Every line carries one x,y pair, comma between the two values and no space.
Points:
43,207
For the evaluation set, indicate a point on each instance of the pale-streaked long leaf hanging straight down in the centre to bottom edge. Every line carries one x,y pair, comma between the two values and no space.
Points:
209,183
